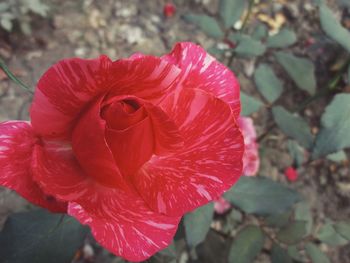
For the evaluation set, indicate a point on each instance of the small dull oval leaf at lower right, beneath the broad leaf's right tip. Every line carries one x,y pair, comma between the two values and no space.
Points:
292,233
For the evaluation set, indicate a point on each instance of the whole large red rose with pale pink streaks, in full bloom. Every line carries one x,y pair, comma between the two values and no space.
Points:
129,146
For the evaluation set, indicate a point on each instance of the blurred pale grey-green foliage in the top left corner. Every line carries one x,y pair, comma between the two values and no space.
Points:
20,12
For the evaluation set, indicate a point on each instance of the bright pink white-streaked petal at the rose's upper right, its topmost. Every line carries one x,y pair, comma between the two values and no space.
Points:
201,70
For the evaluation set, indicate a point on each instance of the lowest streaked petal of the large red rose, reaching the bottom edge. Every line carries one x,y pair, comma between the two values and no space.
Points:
124,225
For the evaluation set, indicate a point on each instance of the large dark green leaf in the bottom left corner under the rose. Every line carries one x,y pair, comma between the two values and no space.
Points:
39,236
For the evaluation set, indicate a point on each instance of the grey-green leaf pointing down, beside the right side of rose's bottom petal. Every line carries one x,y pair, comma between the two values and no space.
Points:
197,224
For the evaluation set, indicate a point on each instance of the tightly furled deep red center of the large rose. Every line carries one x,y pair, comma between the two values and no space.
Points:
129,134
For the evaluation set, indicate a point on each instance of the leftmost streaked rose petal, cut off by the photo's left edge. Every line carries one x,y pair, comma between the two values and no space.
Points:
16,145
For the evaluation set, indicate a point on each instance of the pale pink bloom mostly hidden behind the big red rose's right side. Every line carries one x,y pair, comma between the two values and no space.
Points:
251,160
